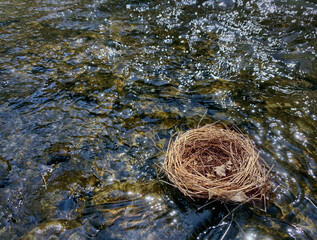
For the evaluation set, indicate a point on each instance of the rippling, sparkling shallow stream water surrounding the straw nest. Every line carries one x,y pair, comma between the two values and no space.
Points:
87,87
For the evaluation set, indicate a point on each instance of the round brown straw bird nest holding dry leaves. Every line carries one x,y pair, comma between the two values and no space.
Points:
216,163
